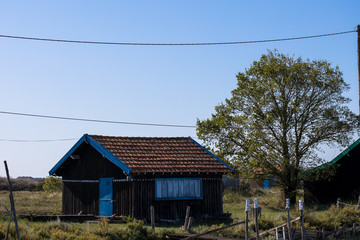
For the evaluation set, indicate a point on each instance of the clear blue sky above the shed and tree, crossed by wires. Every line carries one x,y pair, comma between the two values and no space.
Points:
151,84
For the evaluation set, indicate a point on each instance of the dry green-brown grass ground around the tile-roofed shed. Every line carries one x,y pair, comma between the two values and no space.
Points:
273,213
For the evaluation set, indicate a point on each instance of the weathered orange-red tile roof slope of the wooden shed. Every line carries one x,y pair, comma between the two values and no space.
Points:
154,155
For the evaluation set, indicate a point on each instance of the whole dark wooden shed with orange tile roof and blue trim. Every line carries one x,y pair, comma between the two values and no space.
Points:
105,176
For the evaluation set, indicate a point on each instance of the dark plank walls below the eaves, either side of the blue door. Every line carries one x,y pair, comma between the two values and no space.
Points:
134,198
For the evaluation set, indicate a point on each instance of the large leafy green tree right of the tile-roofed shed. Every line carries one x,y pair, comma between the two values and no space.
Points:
282,111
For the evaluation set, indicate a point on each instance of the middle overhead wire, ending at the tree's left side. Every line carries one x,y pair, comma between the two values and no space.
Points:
96,120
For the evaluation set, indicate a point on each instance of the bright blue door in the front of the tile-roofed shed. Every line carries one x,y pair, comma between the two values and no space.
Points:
106,197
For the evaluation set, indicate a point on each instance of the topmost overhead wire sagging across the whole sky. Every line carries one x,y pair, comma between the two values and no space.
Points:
173,44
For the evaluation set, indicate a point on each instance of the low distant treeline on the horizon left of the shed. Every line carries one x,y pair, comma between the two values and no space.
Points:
23,184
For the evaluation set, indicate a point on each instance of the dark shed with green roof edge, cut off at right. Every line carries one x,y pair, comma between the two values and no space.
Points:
344,184
